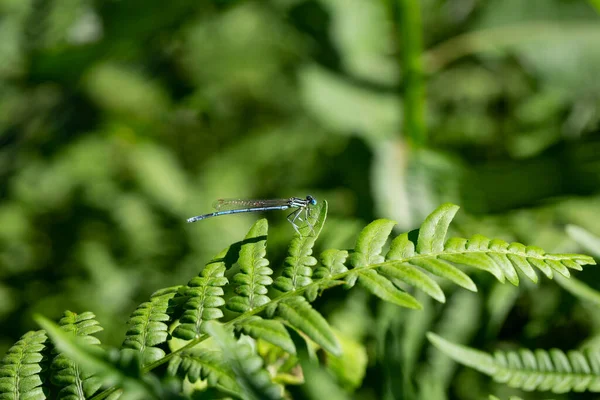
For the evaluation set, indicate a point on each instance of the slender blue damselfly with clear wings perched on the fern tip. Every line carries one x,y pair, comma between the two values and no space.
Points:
235,206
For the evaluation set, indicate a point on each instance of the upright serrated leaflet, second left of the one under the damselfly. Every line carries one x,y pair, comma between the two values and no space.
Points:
204,298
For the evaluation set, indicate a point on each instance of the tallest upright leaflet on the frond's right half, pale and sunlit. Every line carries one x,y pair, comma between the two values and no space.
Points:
432,233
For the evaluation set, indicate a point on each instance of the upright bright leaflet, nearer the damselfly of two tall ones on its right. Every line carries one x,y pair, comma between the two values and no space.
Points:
370,242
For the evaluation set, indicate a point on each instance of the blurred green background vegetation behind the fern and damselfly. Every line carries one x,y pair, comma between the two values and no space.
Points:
121,118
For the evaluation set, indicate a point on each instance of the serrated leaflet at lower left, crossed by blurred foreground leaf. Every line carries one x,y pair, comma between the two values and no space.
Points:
74,382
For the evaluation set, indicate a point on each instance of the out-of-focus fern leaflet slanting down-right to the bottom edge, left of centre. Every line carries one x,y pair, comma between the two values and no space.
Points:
246,364
